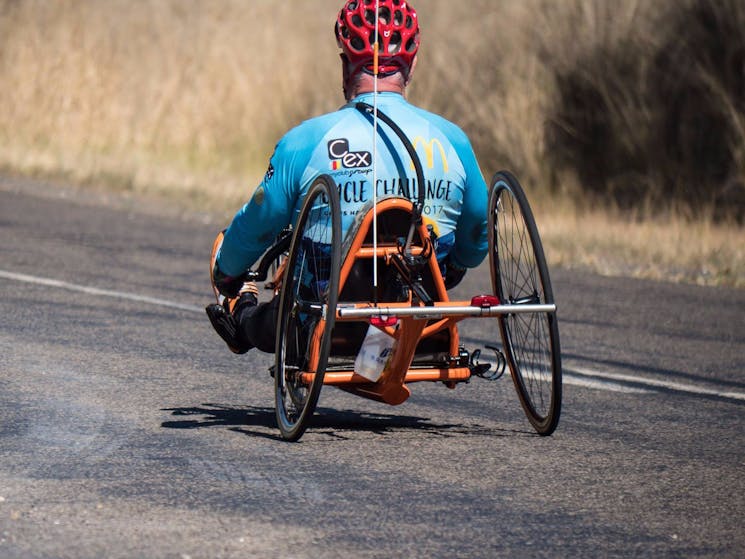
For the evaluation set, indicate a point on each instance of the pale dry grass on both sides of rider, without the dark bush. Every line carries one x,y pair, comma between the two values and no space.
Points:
186,98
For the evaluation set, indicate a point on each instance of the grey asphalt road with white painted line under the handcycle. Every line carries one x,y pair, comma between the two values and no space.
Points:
128,430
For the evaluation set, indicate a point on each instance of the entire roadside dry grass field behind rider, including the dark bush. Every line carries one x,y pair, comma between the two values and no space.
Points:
186,98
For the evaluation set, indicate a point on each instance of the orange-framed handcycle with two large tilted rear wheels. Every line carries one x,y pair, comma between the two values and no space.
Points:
329,308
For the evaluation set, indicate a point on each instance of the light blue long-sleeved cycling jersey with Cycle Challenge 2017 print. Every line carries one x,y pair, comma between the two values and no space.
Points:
340,144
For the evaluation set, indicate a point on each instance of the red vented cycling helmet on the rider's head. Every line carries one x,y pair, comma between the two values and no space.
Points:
398,35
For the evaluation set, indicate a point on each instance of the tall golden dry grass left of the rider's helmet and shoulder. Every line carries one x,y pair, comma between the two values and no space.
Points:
181,96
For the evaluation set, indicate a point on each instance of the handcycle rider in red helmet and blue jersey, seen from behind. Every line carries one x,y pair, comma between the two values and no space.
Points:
340,144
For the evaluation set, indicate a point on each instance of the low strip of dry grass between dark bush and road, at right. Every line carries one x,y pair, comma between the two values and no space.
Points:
665,247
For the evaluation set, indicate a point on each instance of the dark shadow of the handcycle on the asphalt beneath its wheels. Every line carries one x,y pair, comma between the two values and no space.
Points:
332,423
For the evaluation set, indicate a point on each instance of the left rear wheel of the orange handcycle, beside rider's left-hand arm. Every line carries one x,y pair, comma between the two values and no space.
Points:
307,308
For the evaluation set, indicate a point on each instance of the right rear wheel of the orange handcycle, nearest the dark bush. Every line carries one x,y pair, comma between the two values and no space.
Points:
520,276
